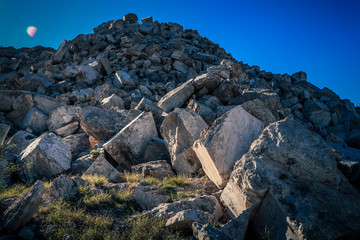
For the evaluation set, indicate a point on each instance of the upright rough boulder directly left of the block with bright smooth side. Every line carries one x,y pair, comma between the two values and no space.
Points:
179,130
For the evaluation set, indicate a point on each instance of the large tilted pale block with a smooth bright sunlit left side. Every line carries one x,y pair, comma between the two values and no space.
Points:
221,145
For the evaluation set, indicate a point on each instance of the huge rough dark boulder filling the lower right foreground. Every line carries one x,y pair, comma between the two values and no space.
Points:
290,184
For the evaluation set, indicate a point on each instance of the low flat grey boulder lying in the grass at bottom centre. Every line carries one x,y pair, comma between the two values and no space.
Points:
208,205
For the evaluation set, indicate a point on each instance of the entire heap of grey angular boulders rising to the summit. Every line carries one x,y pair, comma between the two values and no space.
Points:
160,100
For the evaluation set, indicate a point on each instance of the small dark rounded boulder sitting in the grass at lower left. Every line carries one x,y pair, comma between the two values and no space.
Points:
62,187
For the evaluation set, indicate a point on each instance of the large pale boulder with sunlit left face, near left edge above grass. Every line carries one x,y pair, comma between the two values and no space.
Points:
45,157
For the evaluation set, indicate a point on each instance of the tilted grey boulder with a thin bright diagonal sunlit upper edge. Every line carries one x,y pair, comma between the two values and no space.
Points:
129,145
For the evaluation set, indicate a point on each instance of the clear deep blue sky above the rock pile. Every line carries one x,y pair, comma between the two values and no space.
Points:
321,38
